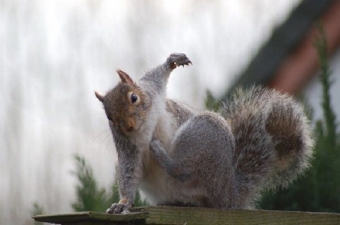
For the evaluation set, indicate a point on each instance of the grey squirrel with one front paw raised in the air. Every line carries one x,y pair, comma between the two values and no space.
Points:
176,155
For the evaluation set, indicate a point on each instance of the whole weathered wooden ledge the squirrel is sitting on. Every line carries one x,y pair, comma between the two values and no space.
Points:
186,215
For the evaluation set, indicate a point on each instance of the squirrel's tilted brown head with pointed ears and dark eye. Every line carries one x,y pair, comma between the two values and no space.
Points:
126,105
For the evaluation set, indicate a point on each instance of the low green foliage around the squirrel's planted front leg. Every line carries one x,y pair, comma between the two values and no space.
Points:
91,197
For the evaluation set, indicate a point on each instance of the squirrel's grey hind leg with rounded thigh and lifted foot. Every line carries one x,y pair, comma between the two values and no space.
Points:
202,155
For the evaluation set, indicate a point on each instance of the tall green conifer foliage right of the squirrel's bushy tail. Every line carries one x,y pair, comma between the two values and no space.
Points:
319,189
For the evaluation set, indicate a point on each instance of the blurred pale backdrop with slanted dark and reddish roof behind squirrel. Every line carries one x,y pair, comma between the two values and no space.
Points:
55,53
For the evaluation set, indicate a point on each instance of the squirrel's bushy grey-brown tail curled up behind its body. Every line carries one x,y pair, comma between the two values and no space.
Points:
273,139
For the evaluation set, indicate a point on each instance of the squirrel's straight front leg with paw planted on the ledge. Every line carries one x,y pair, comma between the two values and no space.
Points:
128,162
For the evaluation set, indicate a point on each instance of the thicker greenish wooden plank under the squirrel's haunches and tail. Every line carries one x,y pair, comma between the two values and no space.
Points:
183,215
